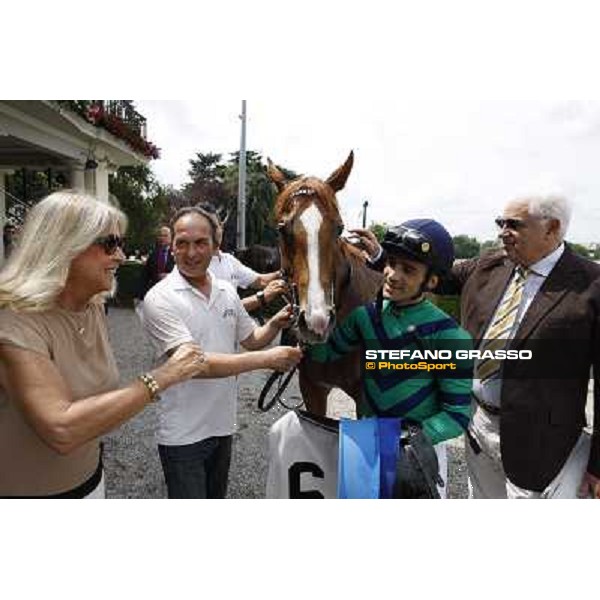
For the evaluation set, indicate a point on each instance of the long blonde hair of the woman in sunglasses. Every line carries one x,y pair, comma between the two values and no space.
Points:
56,230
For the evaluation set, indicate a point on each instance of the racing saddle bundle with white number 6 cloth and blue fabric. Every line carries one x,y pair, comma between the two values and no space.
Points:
316,457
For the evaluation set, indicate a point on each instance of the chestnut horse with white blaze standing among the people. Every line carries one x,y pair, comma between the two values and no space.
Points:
328,274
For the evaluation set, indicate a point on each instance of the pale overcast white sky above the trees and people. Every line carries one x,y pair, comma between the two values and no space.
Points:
455,161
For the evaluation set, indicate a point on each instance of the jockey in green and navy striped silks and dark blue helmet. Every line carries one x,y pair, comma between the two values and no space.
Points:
414,255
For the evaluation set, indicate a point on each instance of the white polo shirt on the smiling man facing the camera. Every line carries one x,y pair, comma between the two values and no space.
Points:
174,312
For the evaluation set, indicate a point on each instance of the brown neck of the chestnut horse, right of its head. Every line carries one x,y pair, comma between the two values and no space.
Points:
356,283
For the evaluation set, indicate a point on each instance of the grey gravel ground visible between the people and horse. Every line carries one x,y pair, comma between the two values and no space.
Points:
132,464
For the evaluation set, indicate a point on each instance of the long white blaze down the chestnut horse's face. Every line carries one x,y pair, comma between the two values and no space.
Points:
317,317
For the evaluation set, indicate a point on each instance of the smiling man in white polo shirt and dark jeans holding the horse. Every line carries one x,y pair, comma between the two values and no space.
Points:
197,418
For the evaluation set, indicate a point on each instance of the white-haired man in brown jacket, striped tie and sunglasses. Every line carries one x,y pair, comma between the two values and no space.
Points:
526,434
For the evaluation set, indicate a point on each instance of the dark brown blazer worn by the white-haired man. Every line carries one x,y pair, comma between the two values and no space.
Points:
541,417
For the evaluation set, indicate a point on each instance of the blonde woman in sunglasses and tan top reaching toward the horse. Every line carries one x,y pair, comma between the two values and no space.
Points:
58,377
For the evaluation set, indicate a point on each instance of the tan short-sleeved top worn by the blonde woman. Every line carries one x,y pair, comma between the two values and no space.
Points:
77,343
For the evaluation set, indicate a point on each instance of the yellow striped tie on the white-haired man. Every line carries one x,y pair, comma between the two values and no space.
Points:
498,333
